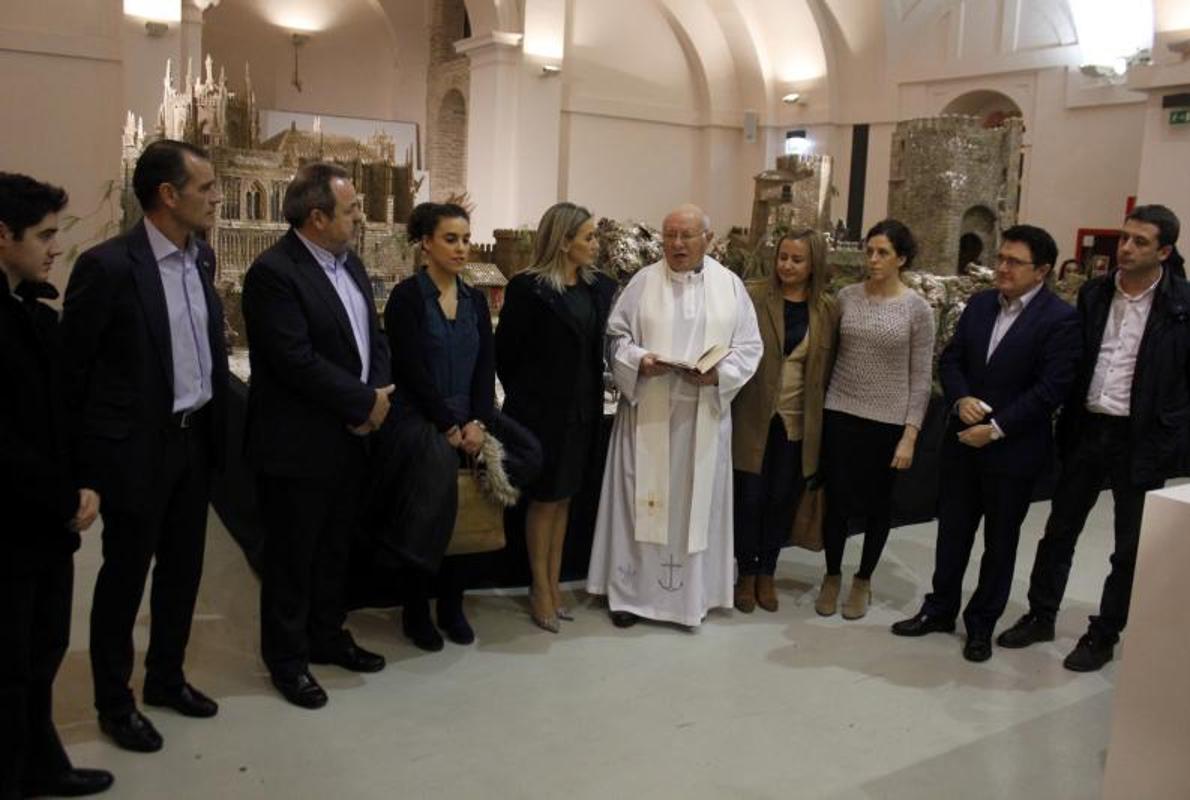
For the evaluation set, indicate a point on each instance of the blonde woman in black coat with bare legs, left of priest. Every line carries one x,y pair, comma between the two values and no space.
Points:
550,360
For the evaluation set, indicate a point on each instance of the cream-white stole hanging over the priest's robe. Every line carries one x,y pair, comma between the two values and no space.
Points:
722,308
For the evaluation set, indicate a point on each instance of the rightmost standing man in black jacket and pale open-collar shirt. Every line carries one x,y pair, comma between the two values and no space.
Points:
1125,424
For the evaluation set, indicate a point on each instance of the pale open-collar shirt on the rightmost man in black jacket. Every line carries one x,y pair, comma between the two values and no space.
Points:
1111,391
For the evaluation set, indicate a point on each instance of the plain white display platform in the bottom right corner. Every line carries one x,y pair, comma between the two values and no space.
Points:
1150,751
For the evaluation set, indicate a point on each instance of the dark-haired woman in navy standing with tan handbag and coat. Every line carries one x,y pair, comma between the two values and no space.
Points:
440,333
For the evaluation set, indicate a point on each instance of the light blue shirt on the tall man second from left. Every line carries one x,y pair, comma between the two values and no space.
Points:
187,310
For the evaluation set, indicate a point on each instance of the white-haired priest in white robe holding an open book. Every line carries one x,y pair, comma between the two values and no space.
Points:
663,540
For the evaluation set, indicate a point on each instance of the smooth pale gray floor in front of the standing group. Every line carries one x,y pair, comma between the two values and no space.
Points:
785,705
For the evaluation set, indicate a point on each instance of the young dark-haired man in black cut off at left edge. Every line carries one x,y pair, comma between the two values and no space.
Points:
45,508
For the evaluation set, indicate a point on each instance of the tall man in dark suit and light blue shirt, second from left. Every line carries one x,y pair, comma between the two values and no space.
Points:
147,379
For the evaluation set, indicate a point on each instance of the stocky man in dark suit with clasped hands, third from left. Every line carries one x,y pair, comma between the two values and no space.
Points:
321,386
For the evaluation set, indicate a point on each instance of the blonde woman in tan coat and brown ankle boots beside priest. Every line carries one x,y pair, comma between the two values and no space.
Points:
778,417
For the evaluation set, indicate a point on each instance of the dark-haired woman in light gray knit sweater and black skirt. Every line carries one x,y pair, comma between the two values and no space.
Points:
875,404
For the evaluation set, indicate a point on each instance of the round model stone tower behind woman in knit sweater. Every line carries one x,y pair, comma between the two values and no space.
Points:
953,177
